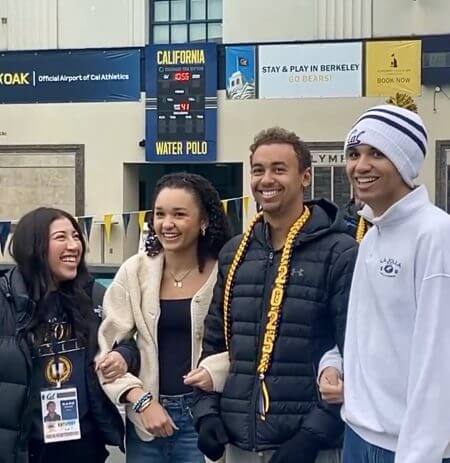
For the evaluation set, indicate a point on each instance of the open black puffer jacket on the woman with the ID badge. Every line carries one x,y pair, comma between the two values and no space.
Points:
15,375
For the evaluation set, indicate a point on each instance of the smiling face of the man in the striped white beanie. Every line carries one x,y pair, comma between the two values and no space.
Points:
375,179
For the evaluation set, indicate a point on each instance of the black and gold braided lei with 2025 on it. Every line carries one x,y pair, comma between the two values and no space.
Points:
276,300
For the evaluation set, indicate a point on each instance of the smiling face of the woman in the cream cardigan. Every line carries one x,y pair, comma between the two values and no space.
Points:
177,219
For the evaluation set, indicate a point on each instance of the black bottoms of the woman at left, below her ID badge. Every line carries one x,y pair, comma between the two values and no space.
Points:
88,449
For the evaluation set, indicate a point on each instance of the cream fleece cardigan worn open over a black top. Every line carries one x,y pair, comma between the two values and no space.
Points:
131,306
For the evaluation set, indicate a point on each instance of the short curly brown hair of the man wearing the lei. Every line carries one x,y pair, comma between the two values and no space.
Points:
280,135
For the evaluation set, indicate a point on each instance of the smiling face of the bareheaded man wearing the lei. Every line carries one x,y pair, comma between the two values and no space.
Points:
277,181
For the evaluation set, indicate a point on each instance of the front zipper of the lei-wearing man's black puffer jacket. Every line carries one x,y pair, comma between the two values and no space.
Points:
256,384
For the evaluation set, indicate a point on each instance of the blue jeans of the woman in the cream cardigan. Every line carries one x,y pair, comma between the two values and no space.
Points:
181,447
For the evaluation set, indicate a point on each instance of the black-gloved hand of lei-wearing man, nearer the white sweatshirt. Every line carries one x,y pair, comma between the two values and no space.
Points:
302,447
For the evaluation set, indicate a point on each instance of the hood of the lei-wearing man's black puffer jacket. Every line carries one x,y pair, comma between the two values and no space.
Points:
325,218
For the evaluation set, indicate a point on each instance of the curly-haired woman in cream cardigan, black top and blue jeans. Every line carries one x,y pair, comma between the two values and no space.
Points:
163,296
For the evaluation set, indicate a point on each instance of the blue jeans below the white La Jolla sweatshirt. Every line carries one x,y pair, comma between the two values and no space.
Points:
357,450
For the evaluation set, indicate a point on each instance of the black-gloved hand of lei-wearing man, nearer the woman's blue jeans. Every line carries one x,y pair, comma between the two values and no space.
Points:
212,437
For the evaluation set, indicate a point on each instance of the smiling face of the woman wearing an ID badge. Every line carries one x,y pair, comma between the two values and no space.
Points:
64,250
